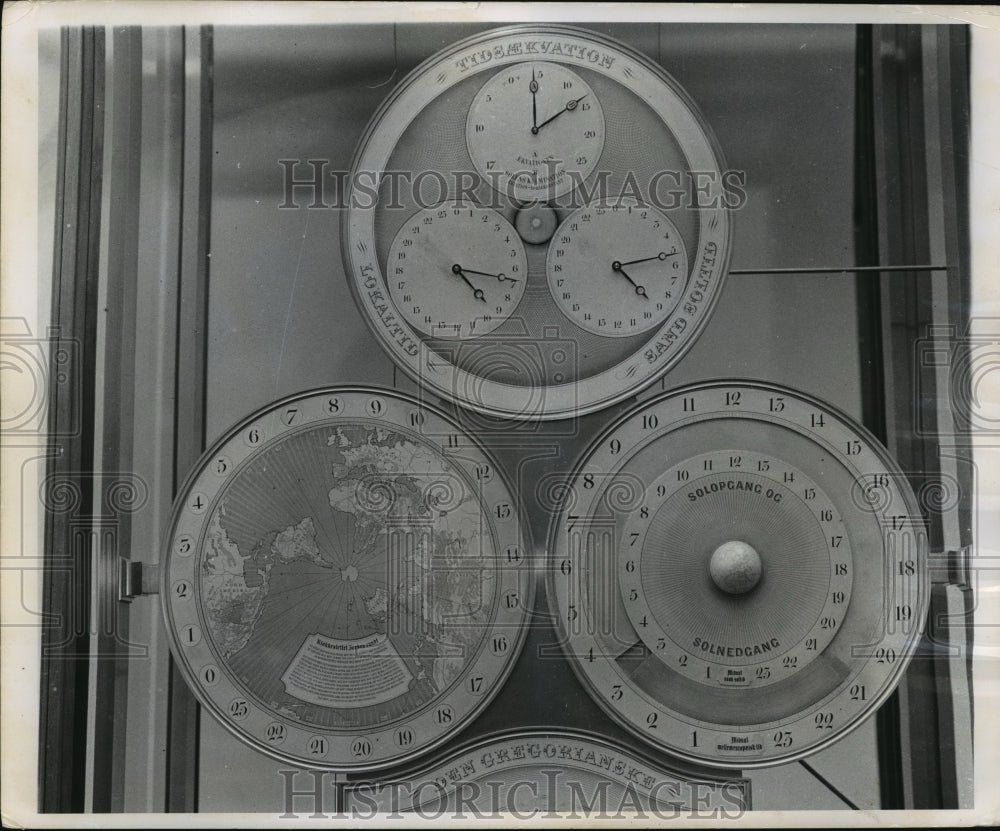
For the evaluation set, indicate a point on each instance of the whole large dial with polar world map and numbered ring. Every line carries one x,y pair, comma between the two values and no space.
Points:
345,579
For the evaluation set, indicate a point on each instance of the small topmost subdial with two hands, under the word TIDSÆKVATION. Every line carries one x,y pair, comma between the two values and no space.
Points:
535,130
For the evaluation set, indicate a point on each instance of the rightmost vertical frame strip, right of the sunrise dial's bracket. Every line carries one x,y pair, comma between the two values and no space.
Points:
945,97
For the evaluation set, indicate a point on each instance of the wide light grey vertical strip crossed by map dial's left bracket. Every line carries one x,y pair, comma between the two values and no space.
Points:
143,56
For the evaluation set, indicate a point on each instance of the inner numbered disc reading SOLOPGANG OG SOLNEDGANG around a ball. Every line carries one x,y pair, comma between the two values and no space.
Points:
728,537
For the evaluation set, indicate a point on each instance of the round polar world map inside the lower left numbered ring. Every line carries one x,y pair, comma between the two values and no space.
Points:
342,573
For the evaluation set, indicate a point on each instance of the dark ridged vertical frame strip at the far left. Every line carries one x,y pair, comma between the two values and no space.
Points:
65,641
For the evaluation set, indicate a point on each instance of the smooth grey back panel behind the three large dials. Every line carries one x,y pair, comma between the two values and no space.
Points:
281,319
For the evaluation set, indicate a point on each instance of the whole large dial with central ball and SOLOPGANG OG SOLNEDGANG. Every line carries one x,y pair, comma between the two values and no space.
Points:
739,572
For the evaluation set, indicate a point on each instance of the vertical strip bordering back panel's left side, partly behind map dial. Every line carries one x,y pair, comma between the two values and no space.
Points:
192,345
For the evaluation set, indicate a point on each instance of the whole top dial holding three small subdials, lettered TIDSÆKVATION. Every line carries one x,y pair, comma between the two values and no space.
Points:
568,156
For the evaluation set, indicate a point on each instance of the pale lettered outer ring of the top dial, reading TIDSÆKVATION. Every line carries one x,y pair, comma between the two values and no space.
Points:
710,261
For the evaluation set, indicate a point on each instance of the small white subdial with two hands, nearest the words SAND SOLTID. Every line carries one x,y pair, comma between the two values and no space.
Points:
617,268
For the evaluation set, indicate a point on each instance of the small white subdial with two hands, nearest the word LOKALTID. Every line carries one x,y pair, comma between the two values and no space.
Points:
456,271
